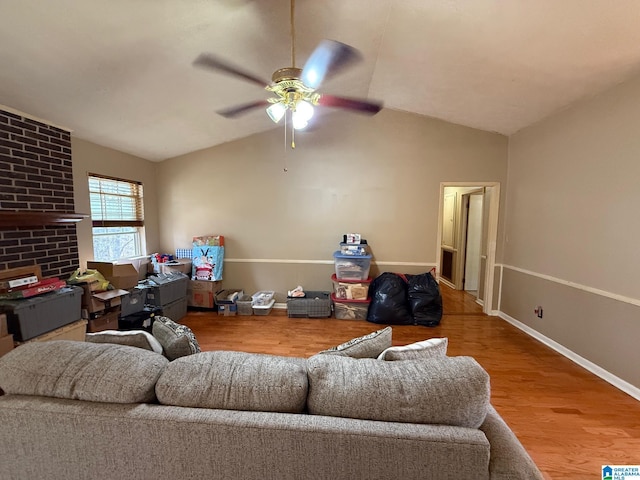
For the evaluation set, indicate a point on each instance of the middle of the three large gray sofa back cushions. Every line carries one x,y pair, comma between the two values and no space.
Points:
235,381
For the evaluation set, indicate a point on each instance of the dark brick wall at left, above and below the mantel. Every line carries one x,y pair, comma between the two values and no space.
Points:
36,174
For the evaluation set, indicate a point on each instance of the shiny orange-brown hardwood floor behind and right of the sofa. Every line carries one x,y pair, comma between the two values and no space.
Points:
570,421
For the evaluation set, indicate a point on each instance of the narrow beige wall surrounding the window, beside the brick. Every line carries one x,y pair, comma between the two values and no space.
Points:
91,158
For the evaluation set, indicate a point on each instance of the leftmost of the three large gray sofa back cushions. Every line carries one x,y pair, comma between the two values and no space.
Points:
95,372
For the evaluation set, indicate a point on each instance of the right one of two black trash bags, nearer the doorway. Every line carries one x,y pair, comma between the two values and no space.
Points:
425,300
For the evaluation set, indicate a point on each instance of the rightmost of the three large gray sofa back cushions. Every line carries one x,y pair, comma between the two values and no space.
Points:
449,390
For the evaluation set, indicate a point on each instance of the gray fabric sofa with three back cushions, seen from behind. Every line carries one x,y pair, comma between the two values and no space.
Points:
78,410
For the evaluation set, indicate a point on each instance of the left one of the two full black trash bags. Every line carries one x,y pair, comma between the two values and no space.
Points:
389,303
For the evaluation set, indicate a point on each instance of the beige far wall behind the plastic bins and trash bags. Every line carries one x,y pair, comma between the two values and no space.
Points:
379,176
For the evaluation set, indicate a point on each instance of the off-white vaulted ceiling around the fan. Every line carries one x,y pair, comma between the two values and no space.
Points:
118,72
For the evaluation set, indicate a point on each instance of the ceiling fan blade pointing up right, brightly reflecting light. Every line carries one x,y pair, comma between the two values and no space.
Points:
327,59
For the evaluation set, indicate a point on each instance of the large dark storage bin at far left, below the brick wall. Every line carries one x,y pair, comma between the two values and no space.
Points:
27,318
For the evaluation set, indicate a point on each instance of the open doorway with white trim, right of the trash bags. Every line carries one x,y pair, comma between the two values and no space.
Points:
467,238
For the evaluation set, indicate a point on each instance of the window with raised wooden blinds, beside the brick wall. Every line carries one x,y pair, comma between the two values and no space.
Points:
117,215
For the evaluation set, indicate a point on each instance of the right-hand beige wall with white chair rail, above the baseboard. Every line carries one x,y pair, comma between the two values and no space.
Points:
571,234
